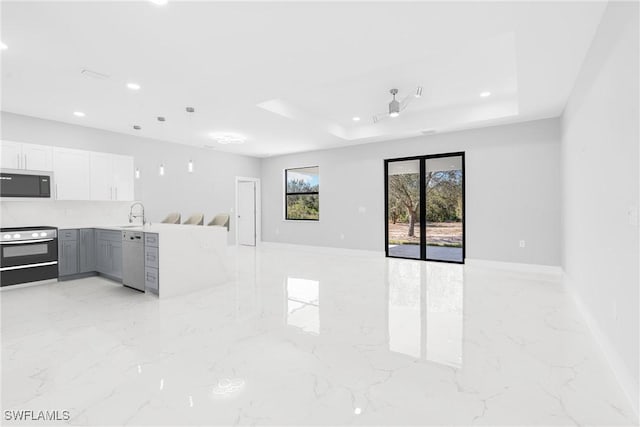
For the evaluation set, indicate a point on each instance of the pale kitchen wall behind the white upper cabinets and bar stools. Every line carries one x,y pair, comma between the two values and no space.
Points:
209,189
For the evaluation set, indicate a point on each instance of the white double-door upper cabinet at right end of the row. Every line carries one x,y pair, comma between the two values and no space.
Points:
111,177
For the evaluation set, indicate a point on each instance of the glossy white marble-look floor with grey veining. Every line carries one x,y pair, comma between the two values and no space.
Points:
301,337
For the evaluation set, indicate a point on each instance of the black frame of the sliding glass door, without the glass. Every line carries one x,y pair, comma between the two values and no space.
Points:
423,205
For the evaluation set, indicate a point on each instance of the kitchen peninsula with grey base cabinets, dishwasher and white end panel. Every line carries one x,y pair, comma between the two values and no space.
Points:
178,259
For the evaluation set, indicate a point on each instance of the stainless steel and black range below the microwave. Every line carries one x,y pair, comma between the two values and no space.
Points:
28,254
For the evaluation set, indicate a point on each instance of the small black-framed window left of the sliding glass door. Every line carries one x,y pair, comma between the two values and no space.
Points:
302,197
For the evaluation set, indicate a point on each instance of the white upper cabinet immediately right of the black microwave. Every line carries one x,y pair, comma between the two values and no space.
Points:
72,173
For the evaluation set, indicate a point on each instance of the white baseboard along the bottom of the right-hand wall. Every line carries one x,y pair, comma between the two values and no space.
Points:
630,388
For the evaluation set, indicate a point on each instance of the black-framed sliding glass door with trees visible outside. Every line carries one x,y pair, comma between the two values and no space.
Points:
425,207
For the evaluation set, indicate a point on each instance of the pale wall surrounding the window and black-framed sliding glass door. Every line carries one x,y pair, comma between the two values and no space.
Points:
513,192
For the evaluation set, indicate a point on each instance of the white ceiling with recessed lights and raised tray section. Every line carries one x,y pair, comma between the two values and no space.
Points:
290,76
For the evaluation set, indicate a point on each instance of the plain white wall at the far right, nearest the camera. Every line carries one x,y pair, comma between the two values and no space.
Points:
600,141
